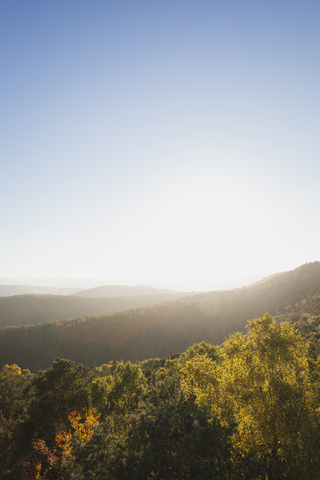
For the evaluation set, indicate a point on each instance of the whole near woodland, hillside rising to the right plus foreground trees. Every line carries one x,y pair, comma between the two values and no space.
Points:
228,405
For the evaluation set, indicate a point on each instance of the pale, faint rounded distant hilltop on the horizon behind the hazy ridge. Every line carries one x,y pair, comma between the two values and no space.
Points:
124,291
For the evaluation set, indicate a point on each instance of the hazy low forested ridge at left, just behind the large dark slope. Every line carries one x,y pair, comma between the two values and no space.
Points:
33,309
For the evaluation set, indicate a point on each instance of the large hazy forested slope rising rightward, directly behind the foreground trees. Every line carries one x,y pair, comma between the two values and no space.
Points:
156,331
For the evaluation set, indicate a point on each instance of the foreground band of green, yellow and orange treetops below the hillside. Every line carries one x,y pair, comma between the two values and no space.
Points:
246,410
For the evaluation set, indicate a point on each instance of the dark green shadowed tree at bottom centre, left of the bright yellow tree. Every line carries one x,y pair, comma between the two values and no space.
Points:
167,438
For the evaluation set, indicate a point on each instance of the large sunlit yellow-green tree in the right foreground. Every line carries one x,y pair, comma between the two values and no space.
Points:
262,385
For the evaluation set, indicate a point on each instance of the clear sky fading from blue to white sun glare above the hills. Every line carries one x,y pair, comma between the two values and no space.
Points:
159,140
